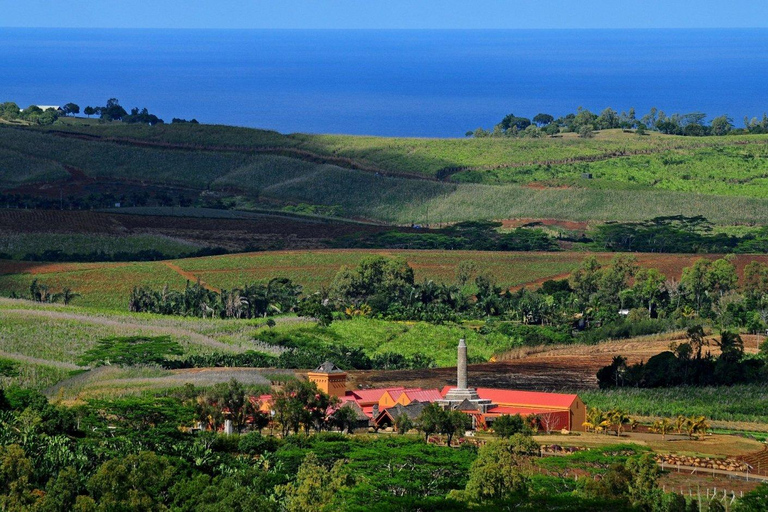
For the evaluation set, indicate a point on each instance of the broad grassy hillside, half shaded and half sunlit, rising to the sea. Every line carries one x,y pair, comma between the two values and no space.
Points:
722,178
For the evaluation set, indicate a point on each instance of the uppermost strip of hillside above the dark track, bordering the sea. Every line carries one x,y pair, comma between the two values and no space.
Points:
414,155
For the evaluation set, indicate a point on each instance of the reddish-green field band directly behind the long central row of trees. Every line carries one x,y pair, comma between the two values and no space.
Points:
108,285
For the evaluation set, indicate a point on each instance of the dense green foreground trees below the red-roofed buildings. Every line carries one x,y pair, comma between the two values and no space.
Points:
131,455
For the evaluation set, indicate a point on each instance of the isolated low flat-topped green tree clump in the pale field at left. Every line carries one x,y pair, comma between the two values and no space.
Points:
131,350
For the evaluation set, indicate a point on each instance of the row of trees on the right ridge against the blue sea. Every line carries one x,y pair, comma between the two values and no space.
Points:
585,123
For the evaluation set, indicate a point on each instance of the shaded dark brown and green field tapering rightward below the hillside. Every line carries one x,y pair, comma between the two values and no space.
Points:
171,231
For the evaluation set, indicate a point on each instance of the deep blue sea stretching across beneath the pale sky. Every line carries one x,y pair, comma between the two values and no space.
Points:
414,83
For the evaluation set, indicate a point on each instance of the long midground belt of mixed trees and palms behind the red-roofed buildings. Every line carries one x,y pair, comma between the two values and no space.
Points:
598,301
